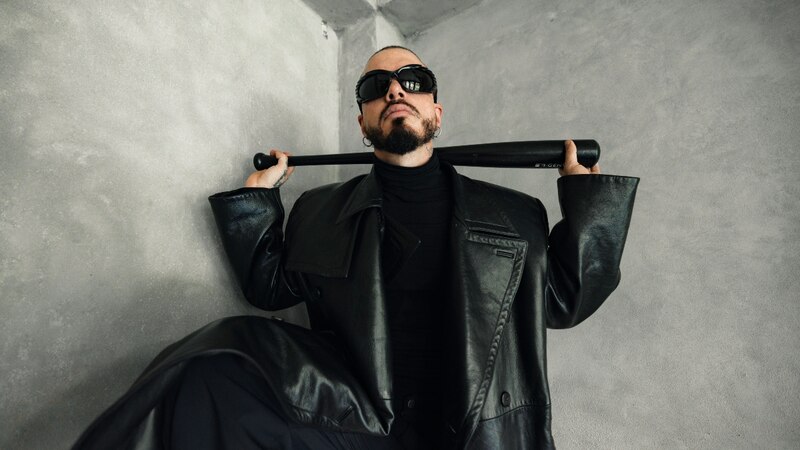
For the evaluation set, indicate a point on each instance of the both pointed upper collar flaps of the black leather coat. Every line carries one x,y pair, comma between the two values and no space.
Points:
479,214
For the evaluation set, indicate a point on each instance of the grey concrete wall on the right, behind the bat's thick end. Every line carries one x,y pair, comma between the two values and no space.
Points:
698,347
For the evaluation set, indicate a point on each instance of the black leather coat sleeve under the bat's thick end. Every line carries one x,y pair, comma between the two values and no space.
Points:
585,247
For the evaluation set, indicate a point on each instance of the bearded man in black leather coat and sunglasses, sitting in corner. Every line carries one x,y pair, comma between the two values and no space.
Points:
428,294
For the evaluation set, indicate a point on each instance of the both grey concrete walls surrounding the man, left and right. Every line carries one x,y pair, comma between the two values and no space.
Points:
118,121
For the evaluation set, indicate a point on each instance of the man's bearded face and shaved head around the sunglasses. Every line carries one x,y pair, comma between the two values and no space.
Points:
399,121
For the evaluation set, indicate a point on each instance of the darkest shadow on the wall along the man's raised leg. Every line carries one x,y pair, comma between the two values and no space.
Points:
99,380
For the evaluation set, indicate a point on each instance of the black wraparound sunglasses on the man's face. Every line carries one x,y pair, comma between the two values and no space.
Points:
413,78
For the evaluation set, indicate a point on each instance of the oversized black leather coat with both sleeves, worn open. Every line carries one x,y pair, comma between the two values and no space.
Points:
510,280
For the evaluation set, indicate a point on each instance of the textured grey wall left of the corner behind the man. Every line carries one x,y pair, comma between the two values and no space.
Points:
117,122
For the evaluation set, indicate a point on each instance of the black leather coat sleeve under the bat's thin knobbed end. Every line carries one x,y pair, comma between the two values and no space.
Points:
250,223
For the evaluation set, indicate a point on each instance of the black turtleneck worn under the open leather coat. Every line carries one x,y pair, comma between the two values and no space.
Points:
419,200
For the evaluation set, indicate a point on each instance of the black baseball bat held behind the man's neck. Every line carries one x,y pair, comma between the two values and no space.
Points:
522,154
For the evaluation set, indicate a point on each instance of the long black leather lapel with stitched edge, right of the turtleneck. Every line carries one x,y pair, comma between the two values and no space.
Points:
488,261
